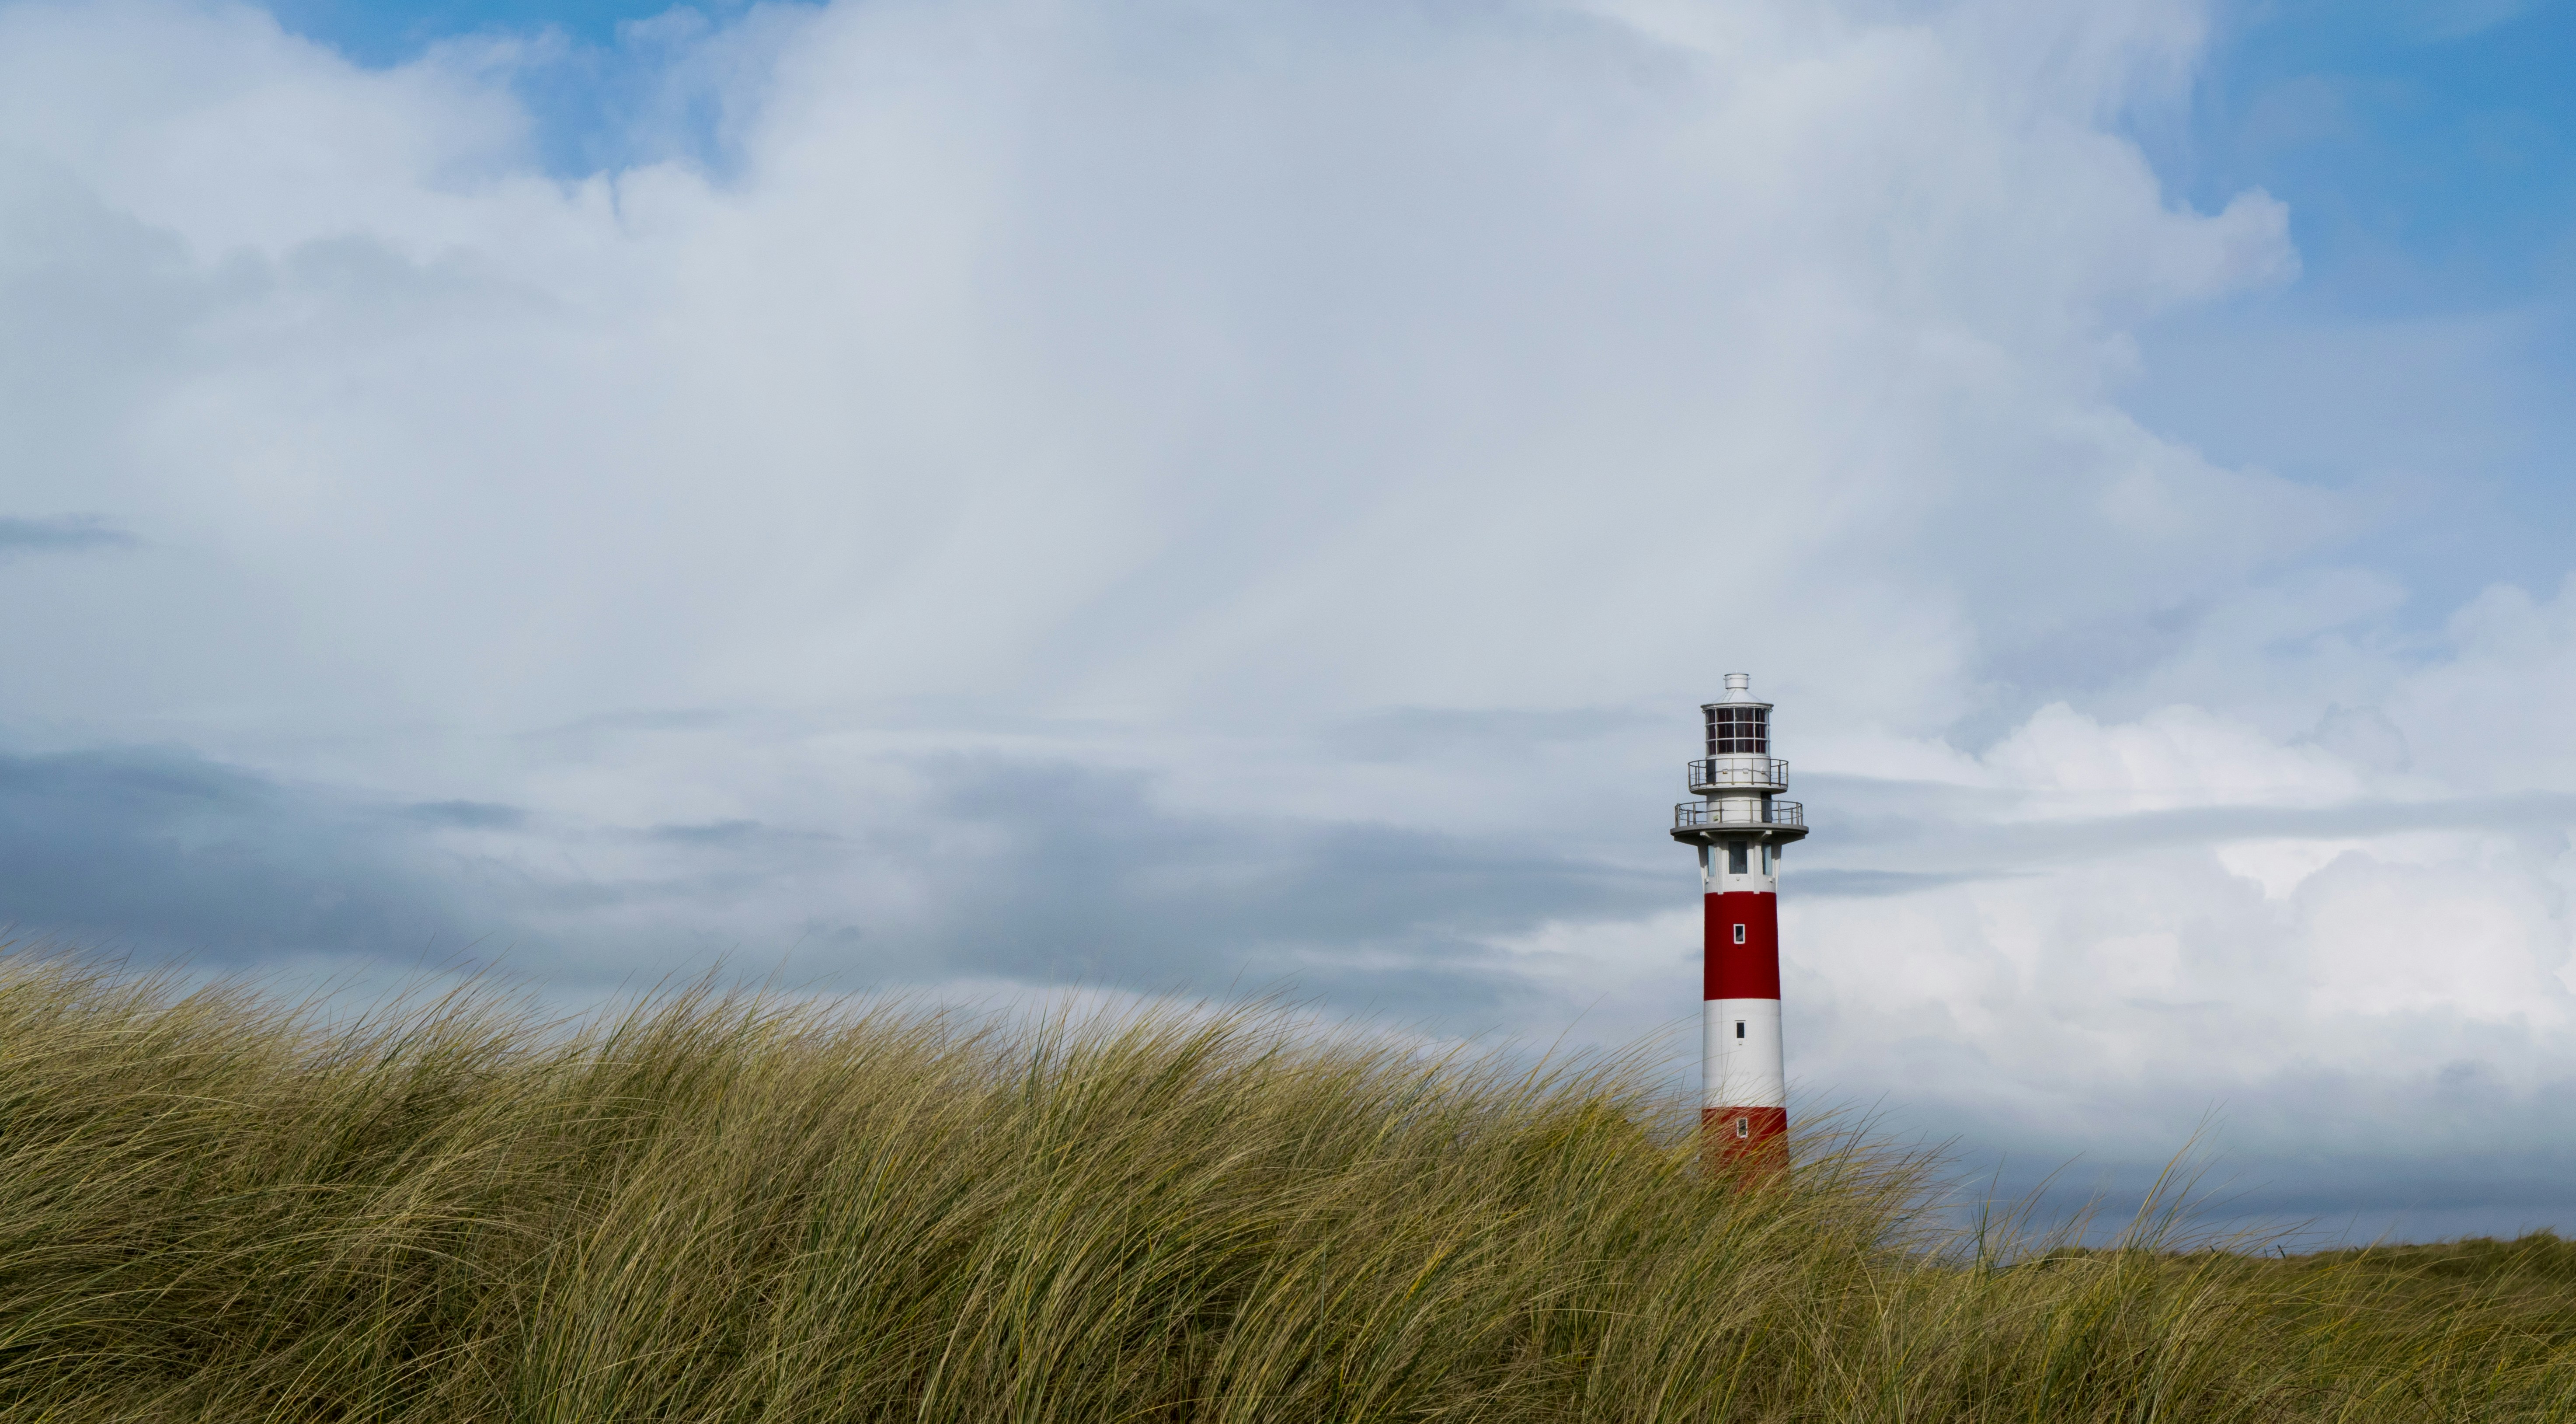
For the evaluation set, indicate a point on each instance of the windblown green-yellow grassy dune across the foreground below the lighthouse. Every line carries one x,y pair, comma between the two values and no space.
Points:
735,1212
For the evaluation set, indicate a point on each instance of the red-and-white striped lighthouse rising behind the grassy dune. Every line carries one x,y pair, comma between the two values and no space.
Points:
1740,828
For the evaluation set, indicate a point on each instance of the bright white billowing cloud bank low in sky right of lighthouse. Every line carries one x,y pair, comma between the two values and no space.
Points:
2315,954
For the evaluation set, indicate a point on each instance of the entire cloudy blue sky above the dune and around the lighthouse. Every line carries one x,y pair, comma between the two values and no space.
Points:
1217,498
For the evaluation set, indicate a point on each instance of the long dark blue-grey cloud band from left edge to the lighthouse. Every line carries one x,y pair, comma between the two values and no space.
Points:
1029,872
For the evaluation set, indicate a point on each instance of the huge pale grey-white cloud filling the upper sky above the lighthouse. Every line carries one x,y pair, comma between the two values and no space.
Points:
1428,390
